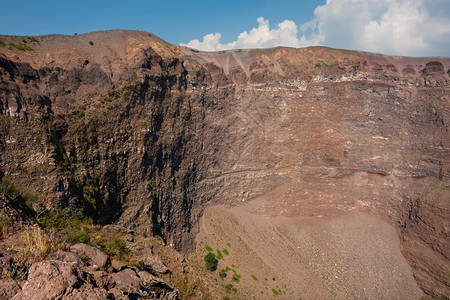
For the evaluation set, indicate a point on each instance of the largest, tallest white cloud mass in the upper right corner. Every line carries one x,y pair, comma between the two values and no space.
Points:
402,27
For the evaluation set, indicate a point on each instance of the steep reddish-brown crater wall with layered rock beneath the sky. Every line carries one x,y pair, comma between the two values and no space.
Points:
137,131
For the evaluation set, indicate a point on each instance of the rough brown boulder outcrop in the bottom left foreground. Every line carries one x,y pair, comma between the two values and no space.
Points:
64,275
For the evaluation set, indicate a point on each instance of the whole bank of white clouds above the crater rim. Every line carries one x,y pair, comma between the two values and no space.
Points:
398,27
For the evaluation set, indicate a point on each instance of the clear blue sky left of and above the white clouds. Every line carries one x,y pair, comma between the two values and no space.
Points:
174,21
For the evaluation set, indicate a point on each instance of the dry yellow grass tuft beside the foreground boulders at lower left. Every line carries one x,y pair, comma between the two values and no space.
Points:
38,244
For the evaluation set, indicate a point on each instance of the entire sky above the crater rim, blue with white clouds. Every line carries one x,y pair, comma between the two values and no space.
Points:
397,27
